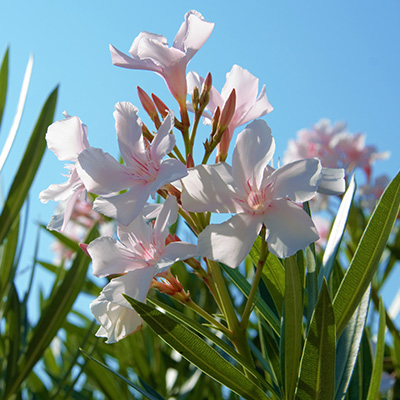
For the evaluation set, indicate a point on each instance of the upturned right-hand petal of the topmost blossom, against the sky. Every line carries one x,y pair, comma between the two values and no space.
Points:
193,33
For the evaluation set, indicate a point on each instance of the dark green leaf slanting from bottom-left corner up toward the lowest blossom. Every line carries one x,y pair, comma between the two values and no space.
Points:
54,315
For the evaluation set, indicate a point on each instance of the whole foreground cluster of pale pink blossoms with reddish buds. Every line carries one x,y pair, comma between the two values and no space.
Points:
263,199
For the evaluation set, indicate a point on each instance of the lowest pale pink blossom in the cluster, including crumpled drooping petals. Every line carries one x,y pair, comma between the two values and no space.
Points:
141,253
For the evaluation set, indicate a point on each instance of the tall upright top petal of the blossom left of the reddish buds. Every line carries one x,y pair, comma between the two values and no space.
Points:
129,132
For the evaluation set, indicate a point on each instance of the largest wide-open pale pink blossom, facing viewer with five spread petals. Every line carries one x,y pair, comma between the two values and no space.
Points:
258,194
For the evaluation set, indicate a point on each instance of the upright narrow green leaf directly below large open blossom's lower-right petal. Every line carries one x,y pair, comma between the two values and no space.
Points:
292,337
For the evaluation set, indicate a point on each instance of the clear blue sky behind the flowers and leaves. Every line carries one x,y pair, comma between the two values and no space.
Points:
338,60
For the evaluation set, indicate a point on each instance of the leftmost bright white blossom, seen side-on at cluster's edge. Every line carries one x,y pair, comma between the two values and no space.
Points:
66,139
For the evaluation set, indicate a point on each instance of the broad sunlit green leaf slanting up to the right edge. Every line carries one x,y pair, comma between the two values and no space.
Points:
366,258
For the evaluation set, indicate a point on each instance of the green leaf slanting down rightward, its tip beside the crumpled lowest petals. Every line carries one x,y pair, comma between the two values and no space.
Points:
198,352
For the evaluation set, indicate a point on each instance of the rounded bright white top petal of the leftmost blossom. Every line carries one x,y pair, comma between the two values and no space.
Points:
67,138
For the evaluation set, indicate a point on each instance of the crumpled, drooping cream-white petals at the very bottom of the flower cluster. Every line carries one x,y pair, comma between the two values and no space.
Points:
112,310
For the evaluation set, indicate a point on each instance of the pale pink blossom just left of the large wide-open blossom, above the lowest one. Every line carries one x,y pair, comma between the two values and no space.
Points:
144,171
